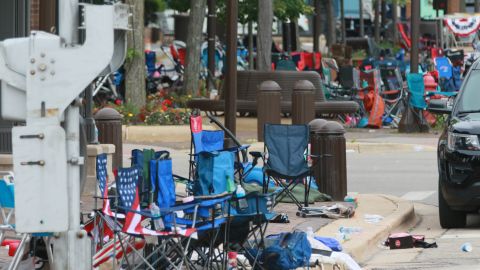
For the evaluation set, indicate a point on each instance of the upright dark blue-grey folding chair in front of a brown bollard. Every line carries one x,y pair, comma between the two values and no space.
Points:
285,158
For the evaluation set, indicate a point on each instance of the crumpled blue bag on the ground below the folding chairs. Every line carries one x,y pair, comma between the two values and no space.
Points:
287,251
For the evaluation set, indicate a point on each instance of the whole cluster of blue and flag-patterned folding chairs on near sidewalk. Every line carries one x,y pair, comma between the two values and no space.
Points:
148,224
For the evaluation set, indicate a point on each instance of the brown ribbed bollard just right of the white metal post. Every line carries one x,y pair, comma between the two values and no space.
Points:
109,125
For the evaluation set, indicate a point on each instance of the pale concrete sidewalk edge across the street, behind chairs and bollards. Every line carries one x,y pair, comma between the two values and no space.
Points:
360,140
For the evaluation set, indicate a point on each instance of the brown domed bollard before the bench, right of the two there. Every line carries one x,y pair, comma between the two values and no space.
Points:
303,102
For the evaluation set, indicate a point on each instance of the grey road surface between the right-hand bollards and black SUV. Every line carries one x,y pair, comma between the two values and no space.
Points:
413,176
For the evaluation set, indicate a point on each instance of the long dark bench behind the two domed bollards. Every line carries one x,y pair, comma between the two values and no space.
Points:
247,84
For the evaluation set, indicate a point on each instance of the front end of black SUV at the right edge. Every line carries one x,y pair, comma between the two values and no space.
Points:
459,153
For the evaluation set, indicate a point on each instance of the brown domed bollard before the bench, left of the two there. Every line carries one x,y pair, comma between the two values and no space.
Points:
268,106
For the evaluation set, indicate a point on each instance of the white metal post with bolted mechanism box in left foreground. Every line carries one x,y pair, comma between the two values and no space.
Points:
41,79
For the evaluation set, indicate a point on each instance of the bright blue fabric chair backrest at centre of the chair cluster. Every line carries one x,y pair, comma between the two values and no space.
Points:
214,170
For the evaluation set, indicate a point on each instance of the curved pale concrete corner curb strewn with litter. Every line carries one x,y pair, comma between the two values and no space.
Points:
360,246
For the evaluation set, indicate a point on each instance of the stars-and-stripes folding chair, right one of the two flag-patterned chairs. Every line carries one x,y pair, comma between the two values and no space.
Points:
173,240
